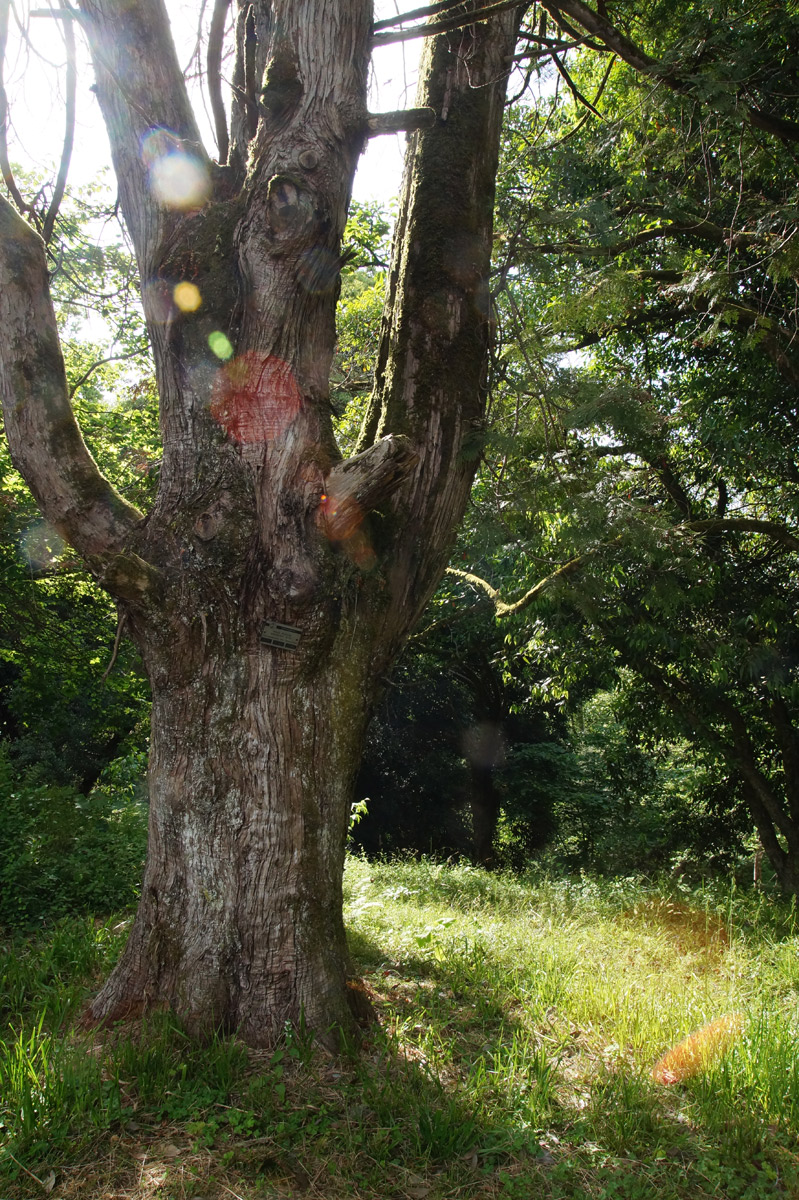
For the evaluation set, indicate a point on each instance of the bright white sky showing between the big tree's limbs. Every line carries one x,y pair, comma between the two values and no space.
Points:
35,87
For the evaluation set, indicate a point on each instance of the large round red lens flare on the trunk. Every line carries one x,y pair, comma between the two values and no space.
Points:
255,398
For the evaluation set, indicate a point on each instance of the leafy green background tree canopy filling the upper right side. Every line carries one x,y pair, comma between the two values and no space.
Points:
647,298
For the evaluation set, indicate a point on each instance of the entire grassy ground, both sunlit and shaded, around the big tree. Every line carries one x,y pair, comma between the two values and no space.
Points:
520,1024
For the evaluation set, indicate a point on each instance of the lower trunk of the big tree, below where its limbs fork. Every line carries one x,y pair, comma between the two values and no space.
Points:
251,767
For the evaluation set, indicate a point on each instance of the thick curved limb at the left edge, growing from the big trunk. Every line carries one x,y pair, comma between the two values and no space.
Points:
45,440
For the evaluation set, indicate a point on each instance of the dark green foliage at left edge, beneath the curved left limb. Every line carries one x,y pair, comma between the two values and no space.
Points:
64,719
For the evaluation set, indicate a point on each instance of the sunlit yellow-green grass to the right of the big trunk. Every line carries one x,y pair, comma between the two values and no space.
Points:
596,985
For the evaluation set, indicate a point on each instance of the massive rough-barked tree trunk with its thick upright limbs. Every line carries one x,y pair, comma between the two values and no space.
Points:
259,521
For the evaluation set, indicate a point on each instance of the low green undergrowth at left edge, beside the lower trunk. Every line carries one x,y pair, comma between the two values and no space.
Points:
64,853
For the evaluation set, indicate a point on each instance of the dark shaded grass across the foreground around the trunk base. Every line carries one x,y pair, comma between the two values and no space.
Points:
476,1084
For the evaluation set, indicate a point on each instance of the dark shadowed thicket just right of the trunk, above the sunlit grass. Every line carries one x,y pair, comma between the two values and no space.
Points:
461,742
